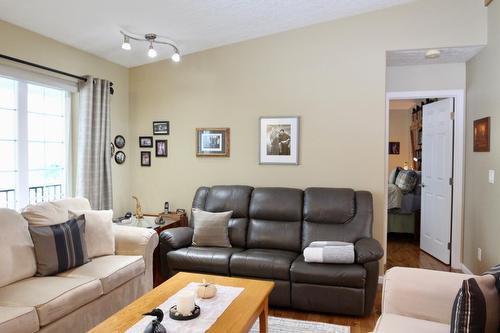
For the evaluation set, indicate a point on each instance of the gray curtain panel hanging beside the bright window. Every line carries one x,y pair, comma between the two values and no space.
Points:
93,172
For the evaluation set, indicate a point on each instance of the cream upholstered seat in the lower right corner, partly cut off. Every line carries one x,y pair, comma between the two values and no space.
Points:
418,300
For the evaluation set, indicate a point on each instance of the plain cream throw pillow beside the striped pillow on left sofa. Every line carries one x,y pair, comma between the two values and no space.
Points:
99,234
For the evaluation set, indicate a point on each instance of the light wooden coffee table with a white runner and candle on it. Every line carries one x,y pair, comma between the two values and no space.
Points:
240,316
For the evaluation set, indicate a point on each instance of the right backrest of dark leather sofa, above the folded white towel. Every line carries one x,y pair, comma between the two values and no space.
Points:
335,214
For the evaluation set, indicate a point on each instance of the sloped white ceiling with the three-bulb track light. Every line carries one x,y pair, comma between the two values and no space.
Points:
195,25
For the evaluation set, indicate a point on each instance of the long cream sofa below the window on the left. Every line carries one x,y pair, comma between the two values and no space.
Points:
76,300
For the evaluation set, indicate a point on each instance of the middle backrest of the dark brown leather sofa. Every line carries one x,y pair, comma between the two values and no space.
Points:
275,219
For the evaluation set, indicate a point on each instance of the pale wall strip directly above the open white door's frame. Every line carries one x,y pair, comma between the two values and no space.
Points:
426,77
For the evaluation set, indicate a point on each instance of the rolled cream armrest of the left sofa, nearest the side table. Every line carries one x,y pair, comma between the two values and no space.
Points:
138,242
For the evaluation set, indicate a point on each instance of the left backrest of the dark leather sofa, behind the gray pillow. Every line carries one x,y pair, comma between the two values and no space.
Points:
225,198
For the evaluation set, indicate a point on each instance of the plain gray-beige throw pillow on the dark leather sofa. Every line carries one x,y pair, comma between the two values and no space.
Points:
211,229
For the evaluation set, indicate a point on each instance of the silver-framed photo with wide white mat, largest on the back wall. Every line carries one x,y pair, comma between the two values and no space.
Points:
279,140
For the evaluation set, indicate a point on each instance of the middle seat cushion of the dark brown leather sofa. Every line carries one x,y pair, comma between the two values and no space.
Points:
263,263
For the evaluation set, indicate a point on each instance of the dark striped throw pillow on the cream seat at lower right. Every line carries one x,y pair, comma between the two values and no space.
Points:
477,306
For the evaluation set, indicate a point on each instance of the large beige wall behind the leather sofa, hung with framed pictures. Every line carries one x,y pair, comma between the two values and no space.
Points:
332,75
